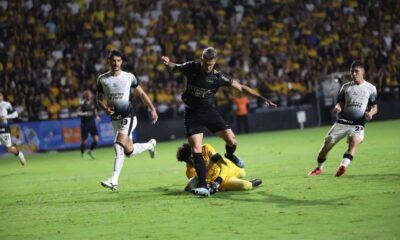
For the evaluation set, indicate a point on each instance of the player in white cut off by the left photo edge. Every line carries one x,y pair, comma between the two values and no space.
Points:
7,112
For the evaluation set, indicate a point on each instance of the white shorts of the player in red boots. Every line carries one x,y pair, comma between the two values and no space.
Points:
339,131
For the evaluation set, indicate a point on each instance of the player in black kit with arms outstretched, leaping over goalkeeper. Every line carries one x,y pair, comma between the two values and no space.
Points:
203,81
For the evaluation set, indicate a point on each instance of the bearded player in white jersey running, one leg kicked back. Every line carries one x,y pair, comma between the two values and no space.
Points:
114,96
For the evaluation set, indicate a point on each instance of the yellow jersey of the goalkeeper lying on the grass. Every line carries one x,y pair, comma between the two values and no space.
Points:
223,168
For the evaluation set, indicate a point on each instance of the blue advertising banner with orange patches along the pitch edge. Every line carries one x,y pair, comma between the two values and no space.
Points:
57,134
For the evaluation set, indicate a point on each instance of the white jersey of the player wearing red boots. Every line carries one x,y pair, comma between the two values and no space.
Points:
356,99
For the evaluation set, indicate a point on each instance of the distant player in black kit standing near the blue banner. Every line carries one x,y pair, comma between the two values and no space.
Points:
88,113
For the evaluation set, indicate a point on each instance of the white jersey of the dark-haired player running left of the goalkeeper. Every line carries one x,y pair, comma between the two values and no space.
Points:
117,90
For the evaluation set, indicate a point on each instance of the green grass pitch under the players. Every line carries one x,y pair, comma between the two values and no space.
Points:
58,195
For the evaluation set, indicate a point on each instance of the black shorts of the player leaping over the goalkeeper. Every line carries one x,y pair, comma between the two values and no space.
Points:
196,120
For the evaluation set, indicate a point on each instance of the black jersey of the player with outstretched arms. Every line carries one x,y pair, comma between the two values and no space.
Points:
201,87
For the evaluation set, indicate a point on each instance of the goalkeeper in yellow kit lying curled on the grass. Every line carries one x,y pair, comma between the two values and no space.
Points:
221,173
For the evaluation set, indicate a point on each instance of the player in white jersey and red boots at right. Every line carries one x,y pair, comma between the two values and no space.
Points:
353,103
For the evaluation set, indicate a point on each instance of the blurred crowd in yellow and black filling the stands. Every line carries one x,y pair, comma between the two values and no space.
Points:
51,51
